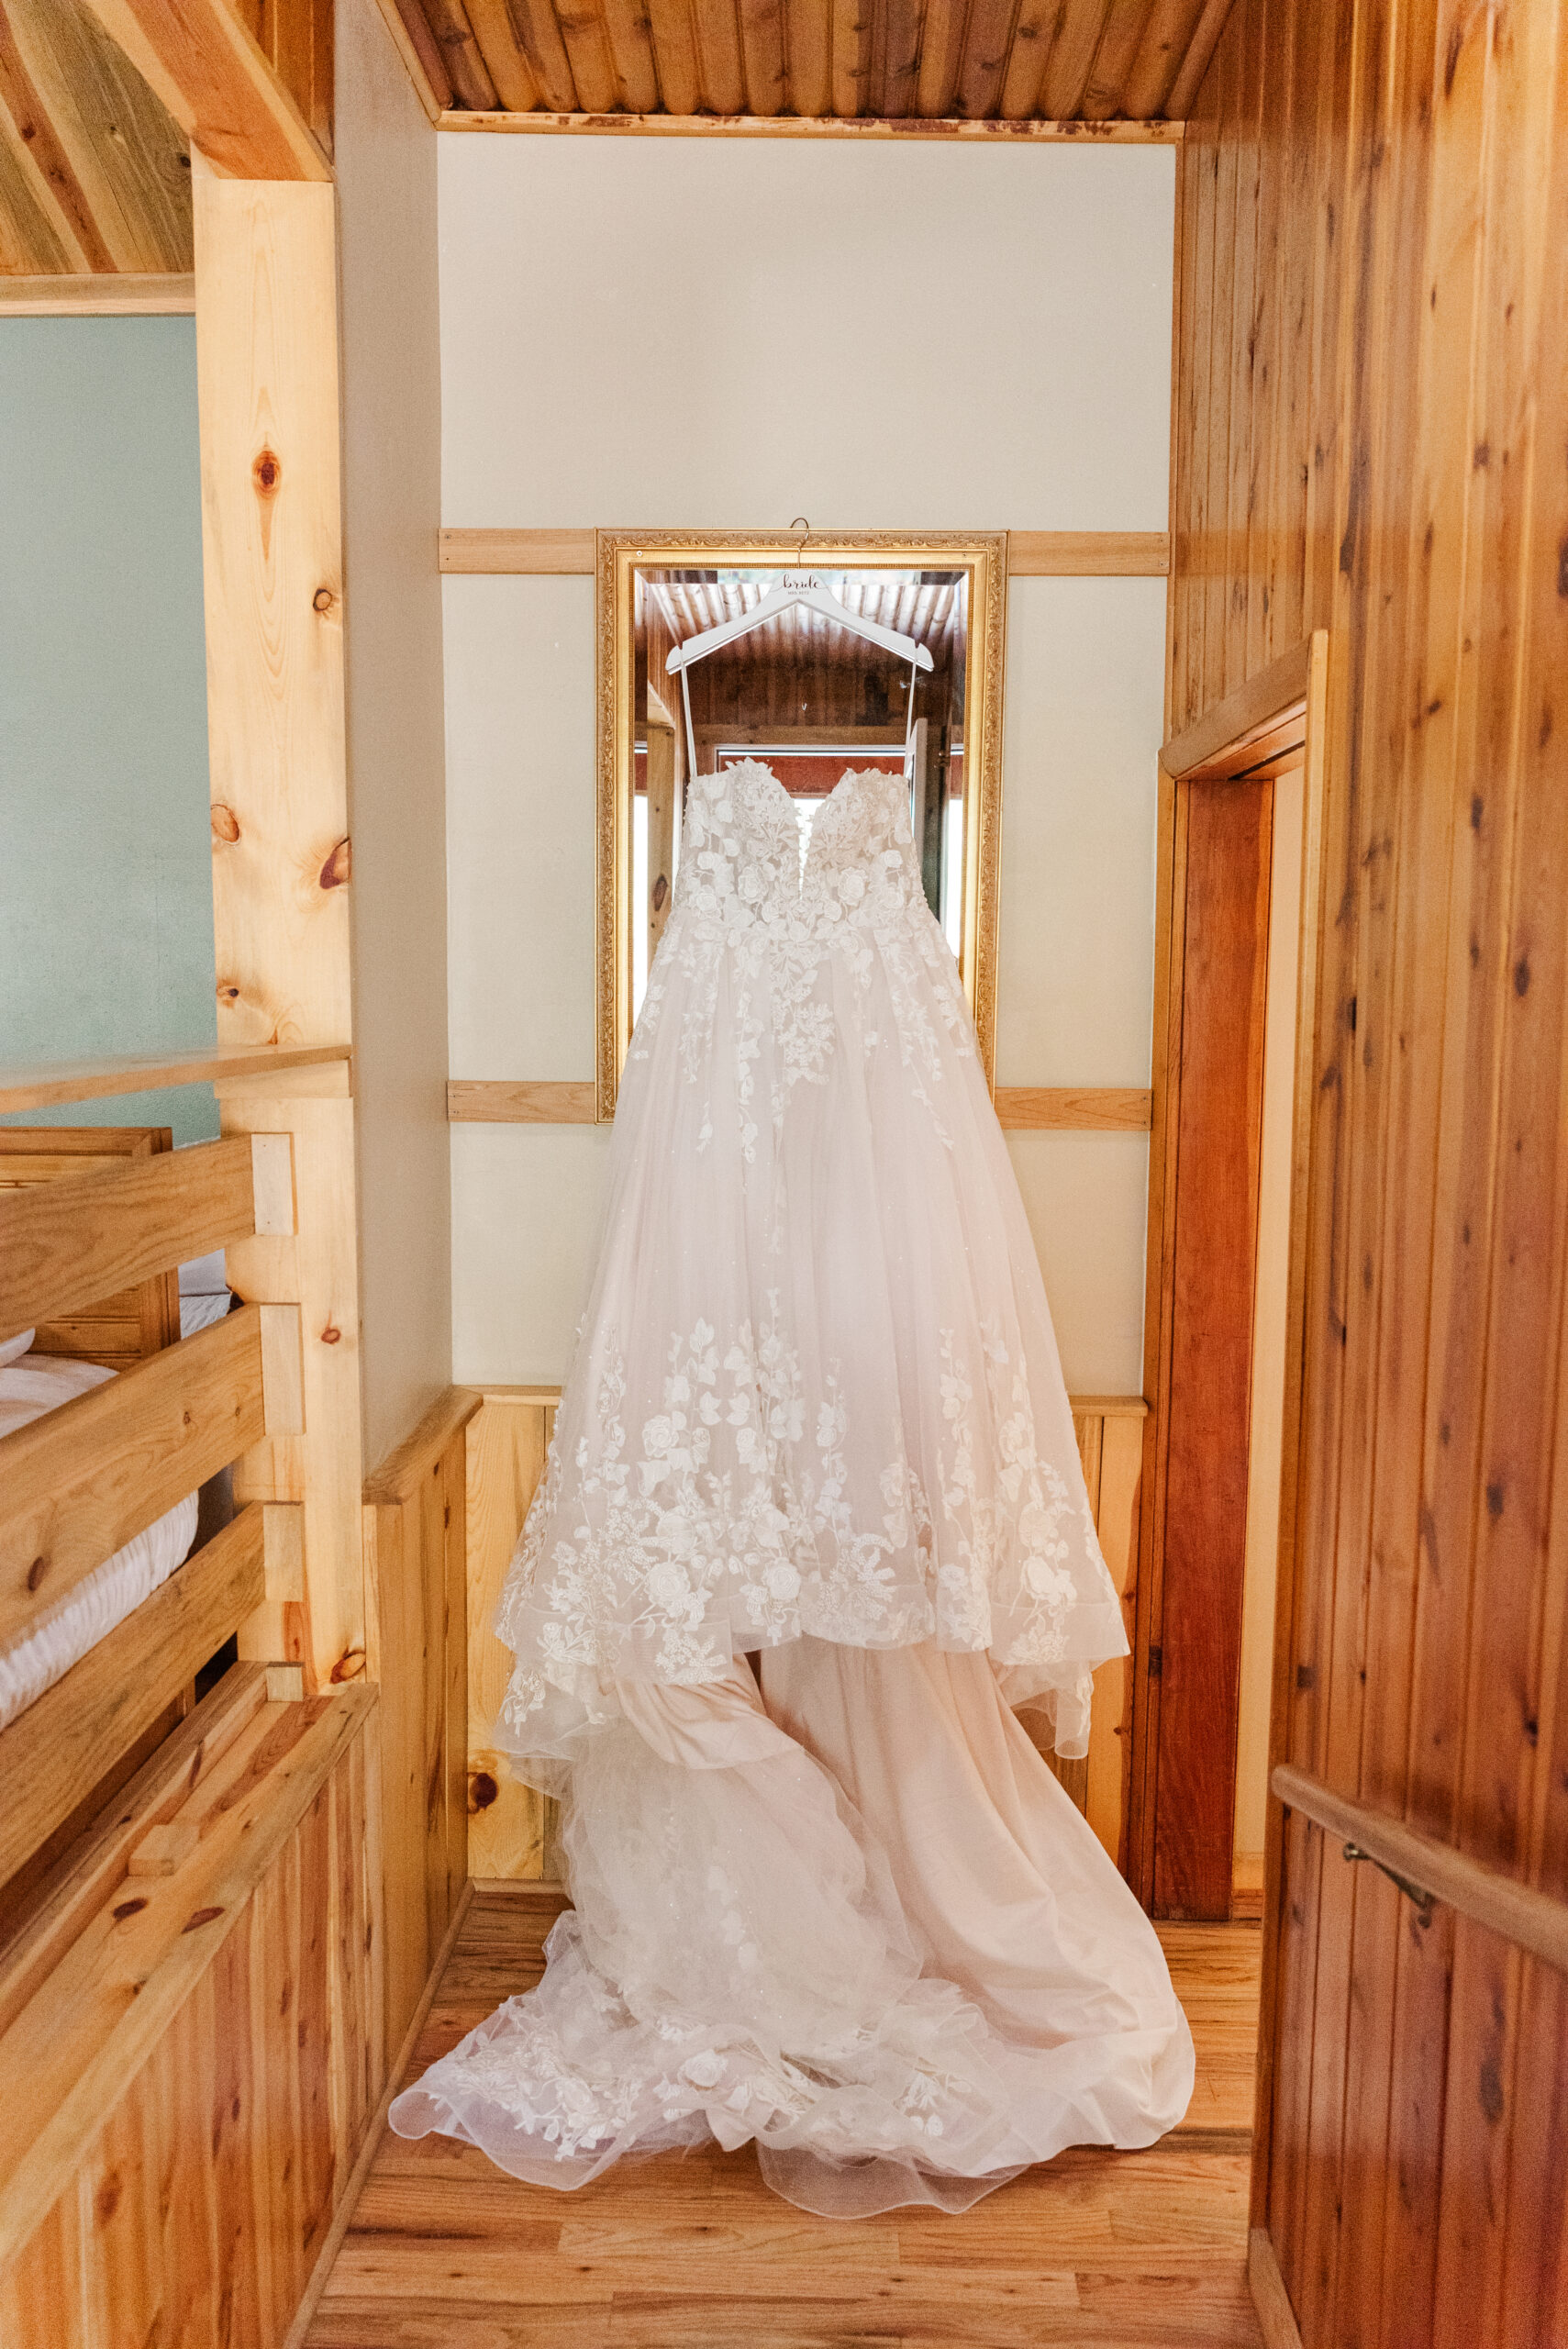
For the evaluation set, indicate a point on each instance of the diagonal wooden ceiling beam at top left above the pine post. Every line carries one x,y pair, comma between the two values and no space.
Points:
217,83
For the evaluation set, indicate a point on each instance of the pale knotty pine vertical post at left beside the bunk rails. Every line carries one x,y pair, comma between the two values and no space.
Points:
273,584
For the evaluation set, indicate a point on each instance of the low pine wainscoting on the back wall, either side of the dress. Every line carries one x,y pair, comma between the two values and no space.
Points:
511,1829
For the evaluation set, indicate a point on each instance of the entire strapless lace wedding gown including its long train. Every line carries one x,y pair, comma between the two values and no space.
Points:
816,1413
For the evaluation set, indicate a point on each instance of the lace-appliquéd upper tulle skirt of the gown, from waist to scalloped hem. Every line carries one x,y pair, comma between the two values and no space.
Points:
818,1387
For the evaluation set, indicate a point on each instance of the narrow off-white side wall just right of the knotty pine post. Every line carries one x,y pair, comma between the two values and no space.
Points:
386,159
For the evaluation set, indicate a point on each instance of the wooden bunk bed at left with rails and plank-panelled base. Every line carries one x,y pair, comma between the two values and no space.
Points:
191,1993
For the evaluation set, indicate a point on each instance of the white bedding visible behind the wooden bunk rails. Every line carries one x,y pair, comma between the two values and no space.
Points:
67,1631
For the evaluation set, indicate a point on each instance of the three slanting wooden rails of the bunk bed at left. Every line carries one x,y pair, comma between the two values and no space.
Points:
86,1479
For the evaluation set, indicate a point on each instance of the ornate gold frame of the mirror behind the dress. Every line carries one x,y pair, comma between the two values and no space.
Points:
982,556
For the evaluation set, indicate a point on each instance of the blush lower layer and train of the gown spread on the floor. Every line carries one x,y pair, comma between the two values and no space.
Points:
863,1927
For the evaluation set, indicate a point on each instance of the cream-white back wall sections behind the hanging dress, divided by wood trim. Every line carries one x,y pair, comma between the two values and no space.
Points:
881,337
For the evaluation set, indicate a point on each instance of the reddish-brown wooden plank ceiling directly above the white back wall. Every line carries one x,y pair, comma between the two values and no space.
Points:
1076,62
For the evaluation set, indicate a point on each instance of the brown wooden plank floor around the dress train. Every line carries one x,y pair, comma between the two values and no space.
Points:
1093,2249
